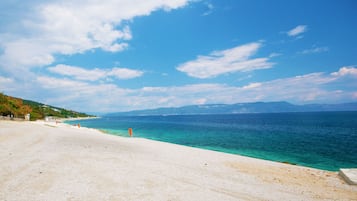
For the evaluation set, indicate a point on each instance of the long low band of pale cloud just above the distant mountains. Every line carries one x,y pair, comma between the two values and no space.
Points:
93,96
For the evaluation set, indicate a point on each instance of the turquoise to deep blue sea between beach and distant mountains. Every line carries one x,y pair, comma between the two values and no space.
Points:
322,140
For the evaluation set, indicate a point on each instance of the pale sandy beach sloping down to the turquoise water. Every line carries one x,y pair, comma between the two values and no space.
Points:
49,161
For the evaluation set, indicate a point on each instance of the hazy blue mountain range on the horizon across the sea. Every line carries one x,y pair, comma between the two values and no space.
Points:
257,107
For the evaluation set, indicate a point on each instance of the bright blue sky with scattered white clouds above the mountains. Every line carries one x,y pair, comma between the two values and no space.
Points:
119,55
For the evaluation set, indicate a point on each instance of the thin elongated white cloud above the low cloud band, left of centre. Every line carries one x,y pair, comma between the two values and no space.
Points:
94,74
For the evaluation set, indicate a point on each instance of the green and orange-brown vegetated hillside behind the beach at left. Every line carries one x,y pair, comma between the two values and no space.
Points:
18,108
